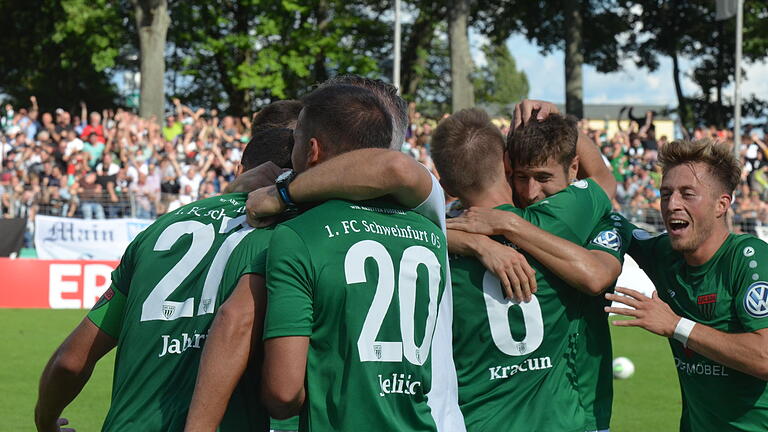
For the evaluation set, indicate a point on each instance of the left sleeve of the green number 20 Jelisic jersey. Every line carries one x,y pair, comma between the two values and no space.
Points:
289,286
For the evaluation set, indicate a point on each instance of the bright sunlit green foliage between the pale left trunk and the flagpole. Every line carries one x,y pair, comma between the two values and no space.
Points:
243,53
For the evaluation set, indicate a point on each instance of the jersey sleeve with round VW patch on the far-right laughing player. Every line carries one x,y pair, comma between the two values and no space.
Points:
751,283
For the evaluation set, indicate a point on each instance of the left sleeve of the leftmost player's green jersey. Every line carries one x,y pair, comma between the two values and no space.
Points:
107,313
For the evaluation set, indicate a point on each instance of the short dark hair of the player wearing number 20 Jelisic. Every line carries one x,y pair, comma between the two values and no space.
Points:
346,118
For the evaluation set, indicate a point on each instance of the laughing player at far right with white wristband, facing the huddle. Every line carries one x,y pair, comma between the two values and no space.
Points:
712,295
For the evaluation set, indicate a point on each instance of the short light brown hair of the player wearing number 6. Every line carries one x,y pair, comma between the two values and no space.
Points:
465,148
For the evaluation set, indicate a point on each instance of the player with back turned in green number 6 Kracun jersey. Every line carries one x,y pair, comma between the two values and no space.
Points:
490,349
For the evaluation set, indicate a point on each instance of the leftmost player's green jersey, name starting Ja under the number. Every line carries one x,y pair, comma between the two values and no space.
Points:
164,294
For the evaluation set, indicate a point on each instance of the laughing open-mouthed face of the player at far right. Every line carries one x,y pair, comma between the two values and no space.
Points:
692,206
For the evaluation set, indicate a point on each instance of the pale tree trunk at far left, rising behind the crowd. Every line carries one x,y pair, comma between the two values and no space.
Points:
152,21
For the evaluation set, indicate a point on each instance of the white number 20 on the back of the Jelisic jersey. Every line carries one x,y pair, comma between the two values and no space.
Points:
354,268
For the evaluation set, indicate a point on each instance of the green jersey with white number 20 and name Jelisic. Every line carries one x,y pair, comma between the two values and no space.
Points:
366,282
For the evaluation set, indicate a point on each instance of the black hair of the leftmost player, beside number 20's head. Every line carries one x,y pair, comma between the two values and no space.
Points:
273,145
